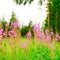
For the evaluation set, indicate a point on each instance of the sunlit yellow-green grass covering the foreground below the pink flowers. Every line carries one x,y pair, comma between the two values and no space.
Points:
12,50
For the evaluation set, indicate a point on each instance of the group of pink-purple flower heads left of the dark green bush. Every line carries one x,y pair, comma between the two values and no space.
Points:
11,33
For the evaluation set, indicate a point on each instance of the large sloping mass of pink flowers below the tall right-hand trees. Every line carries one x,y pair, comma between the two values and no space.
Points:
44,36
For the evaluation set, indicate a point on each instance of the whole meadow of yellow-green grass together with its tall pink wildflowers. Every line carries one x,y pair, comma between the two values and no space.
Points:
41,46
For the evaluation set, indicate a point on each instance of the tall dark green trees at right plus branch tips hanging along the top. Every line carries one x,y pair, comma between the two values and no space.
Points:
52,21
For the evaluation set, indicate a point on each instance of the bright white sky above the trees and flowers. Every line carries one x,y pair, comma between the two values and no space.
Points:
23,13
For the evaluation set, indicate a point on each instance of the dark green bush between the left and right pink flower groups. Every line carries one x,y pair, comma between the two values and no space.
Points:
25,29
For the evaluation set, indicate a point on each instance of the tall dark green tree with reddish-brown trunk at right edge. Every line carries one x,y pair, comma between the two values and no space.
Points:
53,15
